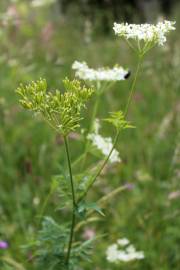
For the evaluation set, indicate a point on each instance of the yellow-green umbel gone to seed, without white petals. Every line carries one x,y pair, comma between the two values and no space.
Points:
62,111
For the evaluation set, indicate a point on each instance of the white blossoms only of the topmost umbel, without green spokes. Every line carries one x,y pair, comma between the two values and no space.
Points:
146,32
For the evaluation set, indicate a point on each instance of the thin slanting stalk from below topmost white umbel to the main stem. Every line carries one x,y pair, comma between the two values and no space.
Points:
118,131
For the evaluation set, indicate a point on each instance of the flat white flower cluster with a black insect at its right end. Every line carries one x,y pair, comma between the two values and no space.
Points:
82,71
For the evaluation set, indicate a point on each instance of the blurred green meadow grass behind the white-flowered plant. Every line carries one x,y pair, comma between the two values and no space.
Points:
40,41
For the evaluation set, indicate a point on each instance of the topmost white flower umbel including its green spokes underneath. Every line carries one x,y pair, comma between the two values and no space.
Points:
145,35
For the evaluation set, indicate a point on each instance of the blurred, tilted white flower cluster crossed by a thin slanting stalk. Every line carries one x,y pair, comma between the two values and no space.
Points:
104,144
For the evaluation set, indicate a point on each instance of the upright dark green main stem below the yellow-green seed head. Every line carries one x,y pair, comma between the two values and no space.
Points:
73,203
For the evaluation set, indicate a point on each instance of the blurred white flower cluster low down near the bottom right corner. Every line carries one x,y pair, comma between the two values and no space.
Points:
123,251
